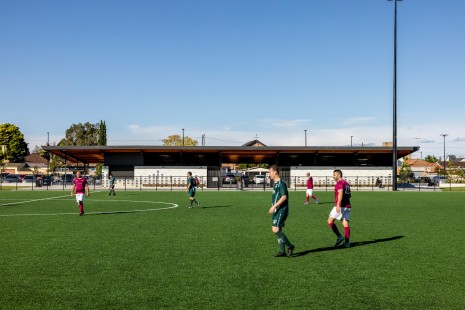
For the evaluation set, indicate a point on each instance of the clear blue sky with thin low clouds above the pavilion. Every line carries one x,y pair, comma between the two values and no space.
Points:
236,70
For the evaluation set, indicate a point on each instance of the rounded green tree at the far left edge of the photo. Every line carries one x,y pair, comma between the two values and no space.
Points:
15,146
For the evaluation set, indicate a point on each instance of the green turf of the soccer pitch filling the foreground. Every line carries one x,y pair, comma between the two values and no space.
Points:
407,252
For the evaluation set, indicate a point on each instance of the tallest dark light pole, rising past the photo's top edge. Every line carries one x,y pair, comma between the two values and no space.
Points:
394,111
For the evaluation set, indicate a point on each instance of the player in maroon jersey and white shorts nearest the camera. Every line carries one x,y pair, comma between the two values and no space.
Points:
341,210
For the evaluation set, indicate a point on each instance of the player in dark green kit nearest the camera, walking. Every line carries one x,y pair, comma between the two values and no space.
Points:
279,211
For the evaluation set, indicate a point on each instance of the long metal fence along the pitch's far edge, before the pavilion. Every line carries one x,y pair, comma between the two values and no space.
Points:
295,183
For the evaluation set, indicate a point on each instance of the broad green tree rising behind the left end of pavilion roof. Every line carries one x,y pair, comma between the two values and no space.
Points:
81,135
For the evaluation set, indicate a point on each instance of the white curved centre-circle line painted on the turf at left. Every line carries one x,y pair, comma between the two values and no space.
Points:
172,206
